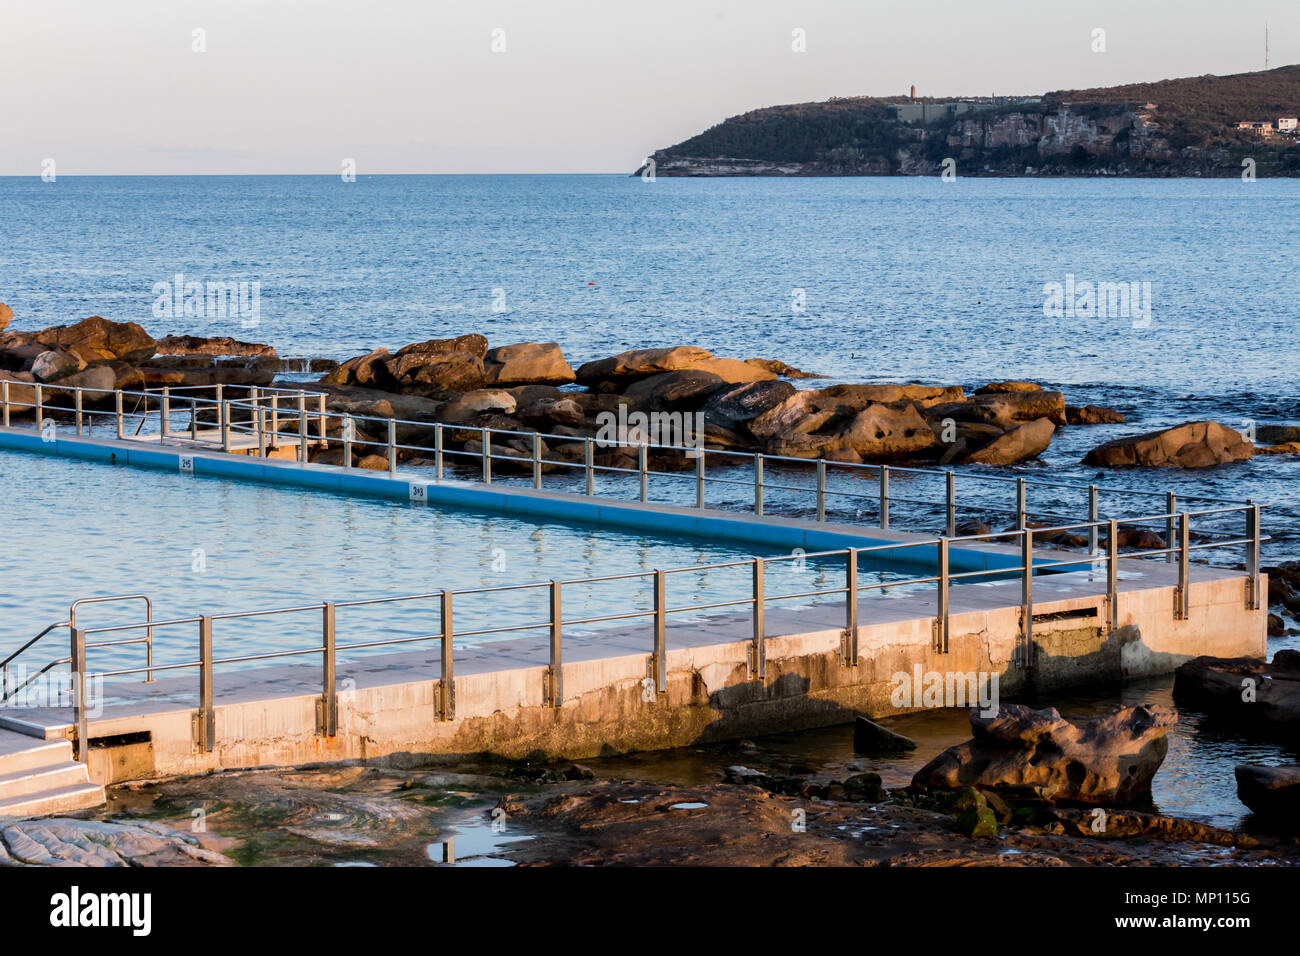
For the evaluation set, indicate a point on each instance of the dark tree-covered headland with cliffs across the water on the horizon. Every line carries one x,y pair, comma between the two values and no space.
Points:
1169,128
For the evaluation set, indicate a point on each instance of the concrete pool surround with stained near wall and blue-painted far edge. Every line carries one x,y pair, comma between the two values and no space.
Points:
388,704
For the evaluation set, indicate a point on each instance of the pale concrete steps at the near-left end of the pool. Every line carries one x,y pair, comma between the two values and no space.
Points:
40,778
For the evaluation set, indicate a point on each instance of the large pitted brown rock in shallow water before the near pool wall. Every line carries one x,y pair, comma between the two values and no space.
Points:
1103,760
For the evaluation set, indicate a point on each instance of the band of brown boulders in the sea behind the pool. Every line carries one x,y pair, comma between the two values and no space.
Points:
668,396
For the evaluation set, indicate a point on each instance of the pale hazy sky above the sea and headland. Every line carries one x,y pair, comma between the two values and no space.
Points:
405,86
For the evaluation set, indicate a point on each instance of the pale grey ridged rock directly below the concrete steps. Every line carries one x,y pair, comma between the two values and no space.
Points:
106,843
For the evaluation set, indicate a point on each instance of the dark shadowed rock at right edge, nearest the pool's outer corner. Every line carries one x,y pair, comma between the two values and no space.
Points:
1259,698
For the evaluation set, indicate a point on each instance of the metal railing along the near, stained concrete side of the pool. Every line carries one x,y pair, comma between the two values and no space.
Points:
757,602
